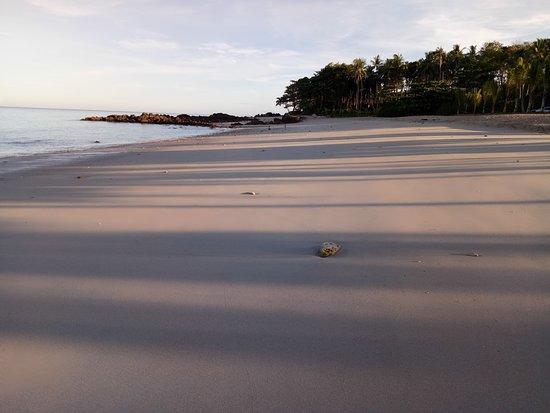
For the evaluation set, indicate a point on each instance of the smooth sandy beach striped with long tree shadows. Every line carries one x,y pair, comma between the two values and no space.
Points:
131,289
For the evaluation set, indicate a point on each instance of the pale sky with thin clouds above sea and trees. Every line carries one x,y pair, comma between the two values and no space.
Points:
206,56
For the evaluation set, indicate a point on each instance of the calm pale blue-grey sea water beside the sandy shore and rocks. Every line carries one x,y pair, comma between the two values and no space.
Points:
25,131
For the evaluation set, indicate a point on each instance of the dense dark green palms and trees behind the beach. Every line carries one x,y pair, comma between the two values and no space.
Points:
493,79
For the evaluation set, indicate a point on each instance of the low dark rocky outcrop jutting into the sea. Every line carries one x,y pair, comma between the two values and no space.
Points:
162,119
